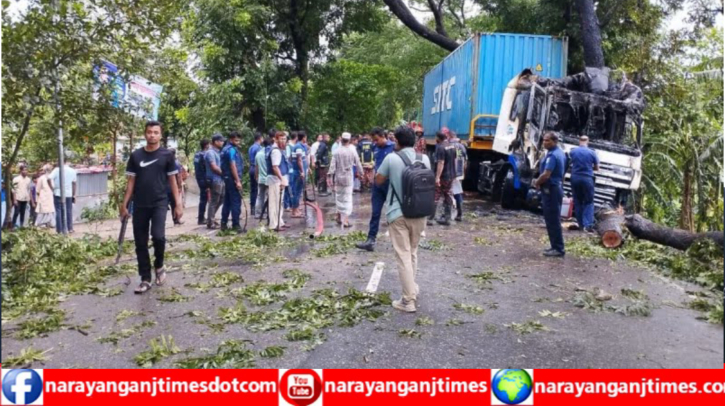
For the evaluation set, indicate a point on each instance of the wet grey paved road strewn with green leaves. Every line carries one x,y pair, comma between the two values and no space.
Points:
509,246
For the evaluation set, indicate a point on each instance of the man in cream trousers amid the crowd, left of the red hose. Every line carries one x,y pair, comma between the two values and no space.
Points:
277,181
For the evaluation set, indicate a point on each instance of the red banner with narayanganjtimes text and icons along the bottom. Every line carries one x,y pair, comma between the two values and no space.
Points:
303,387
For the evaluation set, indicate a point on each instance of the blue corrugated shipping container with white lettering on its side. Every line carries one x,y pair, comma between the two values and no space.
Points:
469,83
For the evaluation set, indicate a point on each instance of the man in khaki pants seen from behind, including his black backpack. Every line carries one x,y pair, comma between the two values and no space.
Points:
410,200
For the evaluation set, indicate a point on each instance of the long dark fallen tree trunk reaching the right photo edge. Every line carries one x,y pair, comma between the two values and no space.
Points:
642,228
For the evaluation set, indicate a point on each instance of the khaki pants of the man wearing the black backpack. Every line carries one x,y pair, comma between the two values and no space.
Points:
405,234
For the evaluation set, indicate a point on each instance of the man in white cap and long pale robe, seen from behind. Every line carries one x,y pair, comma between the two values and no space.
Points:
343,161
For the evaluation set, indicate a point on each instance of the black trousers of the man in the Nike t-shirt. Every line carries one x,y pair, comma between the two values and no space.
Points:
153,218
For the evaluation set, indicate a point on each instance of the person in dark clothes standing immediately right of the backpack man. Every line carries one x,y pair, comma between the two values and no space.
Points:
445,157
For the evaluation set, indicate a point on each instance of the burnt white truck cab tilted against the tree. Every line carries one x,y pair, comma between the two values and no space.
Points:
532,106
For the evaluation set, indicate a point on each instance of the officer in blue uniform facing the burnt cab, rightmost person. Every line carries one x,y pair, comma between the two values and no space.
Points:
584,162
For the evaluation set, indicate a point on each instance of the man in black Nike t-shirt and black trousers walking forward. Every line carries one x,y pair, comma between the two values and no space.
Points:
150,170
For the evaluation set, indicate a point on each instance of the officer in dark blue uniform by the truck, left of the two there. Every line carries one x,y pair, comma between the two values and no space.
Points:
550,180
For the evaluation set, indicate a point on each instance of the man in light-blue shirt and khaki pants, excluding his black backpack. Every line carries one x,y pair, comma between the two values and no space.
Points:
404,232
